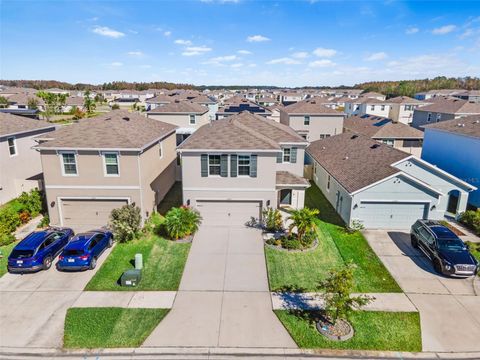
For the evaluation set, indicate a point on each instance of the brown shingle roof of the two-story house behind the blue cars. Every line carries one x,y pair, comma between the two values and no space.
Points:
118,129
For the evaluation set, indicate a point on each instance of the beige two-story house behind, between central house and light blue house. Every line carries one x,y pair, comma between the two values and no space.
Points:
312,120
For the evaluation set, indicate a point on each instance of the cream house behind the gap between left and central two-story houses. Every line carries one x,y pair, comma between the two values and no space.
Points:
186,115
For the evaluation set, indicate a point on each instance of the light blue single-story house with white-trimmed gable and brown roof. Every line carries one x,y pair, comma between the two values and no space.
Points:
379,186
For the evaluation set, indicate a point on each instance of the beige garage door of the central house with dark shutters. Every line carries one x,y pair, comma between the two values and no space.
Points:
226,213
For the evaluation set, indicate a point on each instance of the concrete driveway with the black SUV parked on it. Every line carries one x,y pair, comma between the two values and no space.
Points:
449,307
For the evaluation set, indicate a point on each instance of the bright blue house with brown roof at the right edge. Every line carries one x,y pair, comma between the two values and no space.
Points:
454,146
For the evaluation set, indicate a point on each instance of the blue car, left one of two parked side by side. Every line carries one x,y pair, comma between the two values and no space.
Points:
38,250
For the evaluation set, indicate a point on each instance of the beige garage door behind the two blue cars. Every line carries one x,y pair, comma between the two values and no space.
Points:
83,215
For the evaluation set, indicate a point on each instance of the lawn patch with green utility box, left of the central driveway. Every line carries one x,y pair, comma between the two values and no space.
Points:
163,263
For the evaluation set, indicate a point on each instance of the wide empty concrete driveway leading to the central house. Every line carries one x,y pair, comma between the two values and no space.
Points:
224,299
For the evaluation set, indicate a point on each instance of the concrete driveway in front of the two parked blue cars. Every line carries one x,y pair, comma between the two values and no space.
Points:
33,306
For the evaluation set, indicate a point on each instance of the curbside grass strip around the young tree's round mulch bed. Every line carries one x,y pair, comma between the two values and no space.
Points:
374,330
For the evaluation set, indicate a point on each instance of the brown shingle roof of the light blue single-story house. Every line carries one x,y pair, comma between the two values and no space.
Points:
355,160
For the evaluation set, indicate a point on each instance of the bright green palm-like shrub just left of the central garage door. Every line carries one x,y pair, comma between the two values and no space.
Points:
181,222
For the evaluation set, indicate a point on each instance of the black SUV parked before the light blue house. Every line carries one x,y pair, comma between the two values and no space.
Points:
448,253
